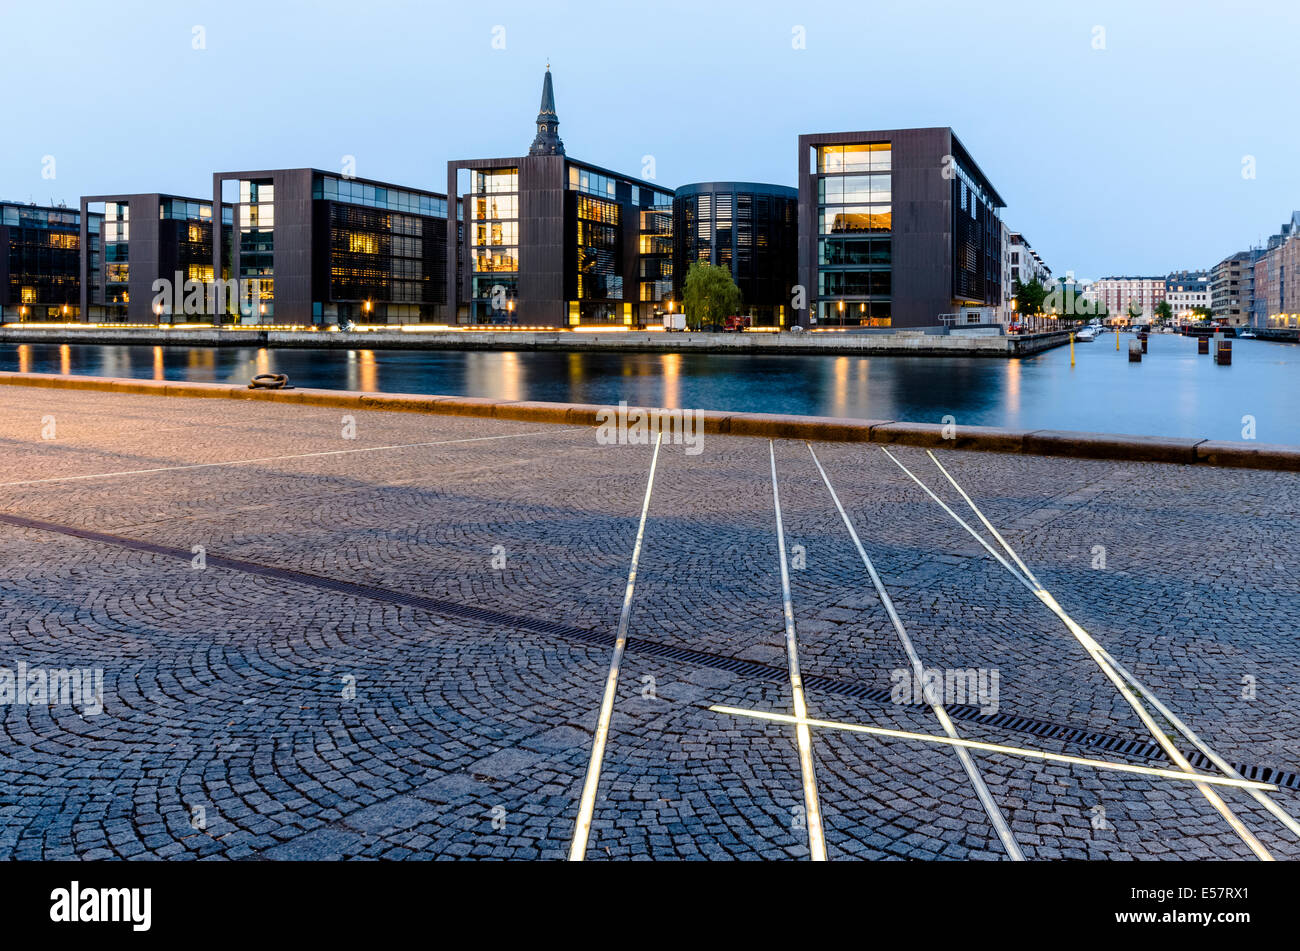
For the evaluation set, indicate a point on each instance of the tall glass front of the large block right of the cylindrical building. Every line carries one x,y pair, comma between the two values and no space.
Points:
855,255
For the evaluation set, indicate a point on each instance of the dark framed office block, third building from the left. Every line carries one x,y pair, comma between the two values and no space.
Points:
318,249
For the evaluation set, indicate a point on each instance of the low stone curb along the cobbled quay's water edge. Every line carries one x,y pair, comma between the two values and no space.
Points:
1068,444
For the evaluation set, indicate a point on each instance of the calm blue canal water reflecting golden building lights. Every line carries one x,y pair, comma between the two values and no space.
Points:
1175,392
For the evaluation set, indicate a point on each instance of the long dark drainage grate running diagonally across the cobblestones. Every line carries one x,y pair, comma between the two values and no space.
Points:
1046,729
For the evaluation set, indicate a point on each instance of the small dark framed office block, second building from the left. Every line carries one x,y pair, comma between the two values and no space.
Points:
141,240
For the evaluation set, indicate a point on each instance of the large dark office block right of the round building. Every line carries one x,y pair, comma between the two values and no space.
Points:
898,228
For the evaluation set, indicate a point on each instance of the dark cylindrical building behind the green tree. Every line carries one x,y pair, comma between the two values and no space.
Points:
748,228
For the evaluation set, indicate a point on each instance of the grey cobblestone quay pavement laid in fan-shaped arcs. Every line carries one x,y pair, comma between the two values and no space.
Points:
397,645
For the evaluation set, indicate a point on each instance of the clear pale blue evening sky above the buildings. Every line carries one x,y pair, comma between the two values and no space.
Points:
1126,159
